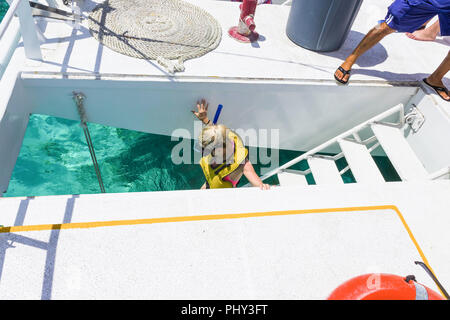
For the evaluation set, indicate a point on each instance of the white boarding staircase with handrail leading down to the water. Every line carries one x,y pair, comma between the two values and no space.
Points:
357,153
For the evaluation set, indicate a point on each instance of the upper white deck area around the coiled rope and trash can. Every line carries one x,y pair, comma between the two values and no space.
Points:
396,58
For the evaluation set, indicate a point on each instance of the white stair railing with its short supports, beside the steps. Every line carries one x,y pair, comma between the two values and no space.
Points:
352,132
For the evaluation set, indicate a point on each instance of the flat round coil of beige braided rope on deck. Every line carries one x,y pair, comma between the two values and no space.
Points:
161,30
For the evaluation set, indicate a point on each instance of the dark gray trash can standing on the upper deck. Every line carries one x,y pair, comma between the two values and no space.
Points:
321,25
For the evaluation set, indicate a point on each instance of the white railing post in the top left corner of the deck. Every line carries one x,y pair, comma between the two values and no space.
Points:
31,44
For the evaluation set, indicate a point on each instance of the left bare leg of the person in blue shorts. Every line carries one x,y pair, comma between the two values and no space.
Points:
372,38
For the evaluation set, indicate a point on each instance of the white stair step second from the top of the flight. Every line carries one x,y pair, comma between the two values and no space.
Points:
360,162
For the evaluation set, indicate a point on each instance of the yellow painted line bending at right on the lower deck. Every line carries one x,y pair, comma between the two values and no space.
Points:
80,225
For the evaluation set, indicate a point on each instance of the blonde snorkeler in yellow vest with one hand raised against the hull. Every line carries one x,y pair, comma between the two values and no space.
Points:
224,156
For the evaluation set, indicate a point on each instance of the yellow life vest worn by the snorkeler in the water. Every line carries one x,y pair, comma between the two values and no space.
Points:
214,177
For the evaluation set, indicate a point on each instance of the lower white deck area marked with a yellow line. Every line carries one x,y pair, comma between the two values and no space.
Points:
255,245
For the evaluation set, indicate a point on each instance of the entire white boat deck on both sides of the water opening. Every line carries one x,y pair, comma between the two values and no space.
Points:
119,250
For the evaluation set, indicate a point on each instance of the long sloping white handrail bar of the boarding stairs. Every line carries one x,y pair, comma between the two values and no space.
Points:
398,108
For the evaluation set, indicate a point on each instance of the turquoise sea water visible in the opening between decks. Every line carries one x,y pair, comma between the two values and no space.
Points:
54,159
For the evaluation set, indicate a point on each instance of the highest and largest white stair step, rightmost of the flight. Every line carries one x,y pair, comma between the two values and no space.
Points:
399,152
